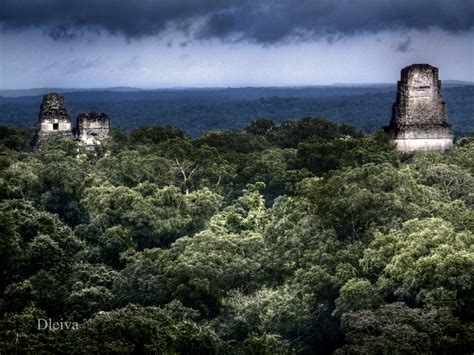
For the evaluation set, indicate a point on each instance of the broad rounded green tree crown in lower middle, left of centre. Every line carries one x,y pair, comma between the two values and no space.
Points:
203,268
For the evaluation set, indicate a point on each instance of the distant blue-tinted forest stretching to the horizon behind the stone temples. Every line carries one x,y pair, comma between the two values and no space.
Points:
197,111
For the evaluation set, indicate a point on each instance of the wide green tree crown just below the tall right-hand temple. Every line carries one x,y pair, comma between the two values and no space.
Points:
371,196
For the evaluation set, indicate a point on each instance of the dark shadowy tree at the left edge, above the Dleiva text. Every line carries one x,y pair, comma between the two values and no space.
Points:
43,252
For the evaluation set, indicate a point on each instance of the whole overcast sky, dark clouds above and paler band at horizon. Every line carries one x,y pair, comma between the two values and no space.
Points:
202,43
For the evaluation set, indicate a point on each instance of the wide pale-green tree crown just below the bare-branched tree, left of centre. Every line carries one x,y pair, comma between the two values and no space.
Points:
146,215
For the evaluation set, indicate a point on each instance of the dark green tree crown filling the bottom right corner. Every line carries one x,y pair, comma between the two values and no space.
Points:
397,328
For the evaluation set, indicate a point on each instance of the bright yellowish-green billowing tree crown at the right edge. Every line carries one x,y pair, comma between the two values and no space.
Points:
426,262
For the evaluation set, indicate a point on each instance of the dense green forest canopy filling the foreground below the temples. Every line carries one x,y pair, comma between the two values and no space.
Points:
306,237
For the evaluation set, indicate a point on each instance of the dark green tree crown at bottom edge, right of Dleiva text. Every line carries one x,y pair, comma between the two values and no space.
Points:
137,329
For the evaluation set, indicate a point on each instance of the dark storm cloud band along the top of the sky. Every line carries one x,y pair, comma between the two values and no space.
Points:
267,21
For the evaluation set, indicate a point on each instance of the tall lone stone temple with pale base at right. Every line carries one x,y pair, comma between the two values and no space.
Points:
419,121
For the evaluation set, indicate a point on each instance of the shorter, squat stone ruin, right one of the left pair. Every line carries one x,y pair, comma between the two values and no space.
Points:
92,127
